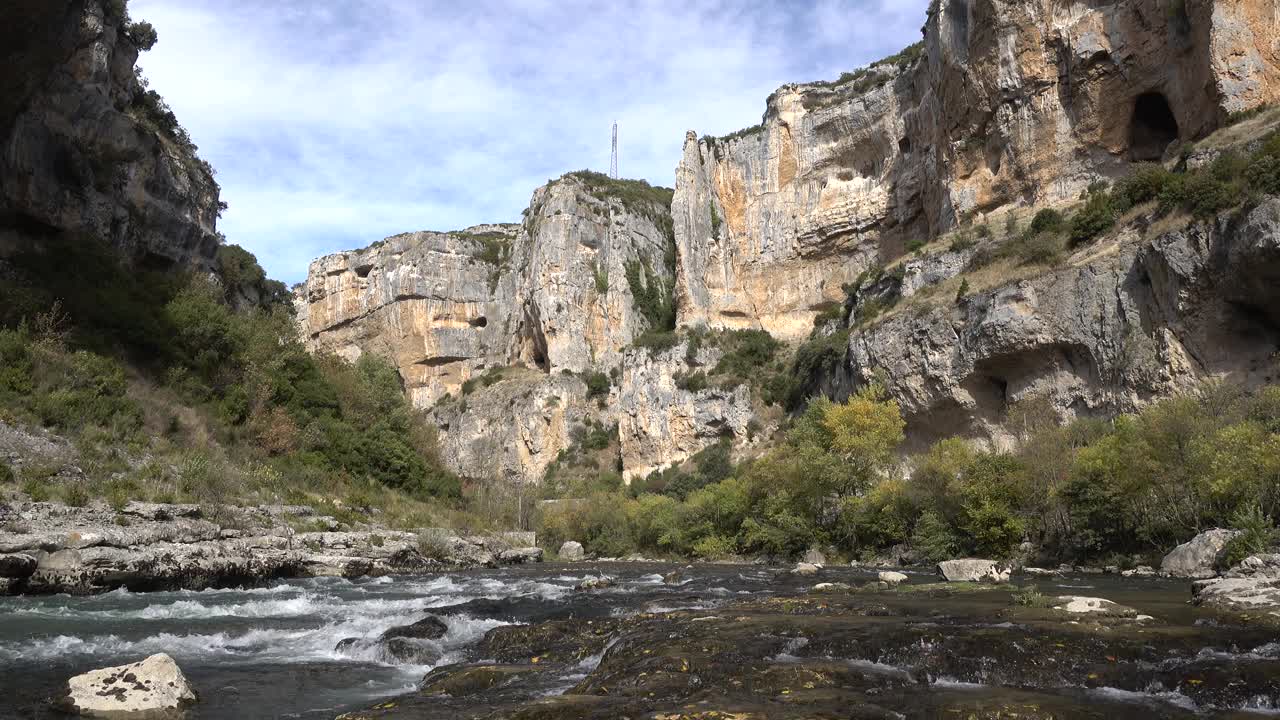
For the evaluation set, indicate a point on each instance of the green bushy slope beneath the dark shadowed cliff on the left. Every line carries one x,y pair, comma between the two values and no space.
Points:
171,394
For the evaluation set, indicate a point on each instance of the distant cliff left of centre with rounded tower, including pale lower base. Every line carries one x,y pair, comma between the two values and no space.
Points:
554,295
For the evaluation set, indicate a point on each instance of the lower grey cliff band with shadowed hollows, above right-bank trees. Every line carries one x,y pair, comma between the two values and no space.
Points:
1119,325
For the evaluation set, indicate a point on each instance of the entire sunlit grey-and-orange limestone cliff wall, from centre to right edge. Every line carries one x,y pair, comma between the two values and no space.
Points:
857,224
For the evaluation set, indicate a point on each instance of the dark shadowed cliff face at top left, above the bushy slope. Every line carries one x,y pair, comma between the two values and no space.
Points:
79,151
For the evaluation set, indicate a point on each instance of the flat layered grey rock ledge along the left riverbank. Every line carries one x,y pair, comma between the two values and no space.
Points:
52,549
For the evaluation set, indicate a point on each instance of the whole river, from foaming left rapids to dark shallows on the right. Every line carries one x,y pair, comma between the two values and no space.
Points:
271,651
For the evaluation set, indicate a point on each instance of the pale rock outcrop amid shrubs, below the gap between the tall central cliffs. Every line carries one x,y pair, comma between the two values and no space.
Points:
662,423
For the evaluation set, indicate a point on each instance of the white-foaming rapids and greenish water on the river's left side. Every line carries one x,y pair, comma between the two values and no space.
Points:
278,646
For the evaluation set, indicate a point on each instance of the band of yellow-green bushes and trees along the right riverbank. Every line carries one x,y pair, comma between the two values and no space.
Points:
1087,491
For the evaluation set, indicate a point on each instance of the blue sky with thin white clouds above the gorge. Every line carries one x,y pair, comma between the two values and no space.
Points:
335,124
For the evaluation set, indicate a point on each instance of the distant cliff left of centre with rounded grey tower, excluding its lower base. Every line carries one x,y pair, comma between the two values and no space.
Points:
552,294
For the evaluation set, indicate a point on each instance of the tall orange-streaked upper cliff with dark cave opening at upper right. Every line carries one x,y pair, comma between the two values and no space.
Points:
1003,104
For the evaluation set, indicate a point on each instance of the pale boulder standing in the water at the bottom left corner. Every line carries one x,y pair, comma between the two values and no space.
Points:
141,690
